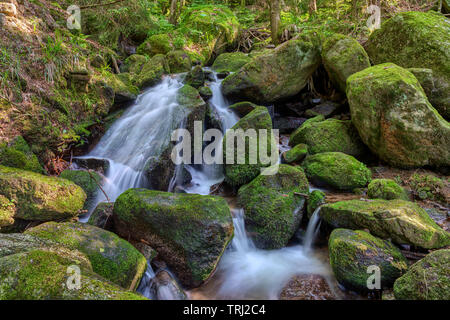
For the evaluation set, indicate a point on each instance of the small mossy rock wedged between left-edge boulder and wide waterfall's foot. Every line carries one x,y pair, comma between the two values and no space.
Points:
89,181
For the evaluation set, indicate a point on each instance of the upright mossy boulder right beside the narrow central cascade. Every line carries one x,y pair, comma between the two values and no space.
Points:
241,168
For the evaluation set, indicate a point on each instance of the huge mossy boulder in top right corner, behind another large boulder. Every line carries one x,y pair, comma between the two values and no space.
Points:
417,40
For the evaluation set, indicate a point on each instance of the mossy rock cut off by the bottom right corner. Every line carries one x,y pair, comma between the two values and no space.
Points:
427,279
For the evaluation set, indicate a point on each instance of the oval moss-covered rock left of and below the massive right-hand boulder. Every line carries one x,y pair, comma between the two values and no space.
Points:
336,170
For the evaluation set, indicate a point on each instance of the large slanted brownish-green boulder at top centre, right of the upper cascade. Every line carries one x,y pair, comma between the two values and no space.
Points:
278,75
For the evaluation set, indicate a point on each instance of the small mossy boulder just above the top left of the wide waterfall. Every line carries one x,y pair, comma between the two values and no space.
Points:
152,72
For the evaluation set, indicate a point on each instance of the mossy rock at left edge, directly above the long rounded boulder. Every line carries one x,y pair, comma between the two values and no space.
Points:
19,155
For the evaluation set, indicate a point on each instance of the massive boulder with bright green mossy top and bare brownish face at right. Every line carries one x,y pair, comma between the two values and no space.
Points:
395,119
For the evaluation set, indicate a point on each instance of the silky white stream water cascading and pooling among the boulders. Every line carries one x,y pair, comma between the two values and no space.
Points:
244,271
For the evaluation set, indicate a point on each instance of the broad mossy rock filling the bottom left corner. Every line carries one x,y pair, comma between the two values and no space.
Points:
43,275
